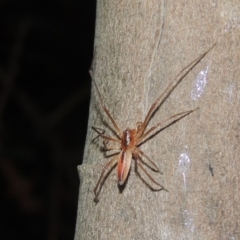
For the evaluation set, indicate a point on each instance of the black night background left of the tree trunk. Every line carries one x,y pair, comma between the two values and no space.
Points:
46,49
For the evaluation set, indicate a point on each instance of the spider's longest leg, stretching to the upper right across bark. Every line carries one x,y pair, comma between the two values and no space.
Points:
180,76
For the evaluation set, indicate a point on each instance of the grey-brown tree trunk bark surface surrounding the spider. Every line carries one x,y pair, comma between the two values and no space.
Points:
199,155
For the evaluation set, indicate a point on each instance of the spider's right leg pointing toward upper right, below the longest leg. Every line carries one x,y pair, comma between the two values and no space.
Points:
166,123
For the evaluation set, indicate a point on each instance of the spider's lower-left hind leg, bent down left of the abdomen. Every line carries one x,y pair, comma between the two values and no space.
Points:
106,168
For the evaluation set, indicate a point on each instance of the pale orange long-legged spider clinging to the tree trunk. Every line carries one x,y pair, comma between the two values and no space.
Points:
129,140
